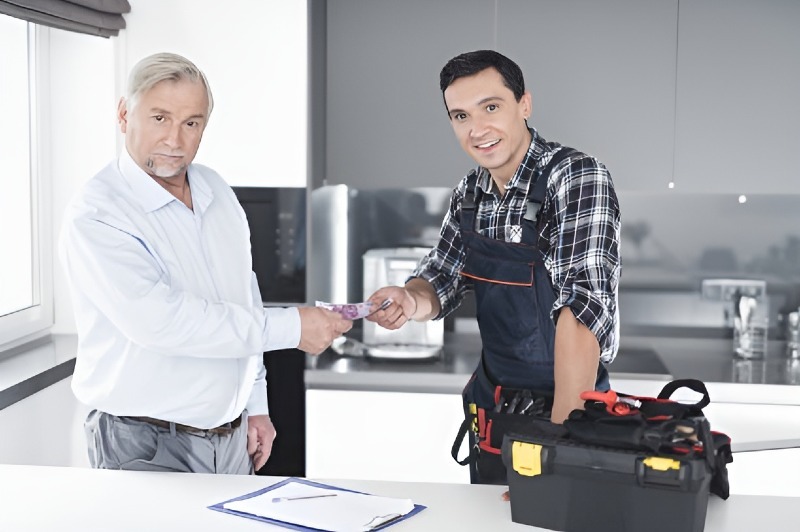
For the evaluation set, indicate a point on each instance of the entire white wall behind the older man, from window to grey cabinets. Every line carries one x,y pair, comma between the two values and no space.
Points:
254,53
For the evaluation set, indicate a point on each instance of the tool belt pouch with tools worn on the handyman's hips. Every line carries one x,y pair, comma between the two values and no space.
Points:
513,410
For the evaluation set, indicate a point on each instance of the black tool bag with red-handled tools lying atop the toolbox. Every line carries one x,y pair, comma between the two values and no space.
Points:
657,425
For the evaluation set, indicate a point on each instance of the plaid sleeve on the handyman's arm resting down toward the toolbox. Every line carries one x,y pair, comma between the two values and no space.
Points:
581,235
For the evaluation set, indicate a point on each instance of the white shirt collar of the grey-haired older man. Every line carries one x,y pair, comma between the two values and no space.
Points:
152,196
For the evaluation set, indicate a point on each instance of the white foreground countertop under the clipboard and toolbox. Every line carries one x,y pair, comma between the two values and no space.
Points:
66,499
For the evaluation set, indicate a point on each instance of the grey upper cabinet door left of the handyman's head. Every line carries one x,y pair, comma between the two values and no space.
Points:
386,125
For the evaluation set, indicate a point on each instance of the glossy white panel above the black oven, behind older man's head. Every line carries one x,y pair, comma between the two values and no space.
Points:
254,53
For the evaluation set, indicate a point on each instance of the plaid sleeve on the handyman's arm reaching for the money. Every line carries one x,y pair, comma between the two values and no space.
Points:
442,266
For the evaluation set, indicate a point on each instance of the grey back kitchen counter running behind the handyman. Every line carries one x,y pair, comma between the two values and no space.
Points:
644,364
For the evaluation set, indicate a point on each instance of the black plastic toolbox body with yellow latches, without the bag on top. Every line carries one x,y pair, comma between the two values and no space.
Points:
571,487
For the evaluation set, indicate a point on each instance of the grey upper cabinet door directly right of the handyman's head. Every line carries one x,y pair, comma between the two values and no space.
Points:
602,77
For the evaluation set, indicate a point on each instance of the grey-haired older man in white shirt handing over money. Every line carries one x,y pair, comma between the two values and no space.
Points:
171,327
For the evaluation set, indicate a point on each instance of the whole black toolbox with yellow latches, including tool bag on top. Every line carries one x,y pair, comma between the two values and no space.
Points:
623,464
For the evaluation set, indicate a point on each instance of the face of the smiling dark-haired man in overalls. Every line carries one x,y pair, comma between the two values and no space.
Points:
488,122
